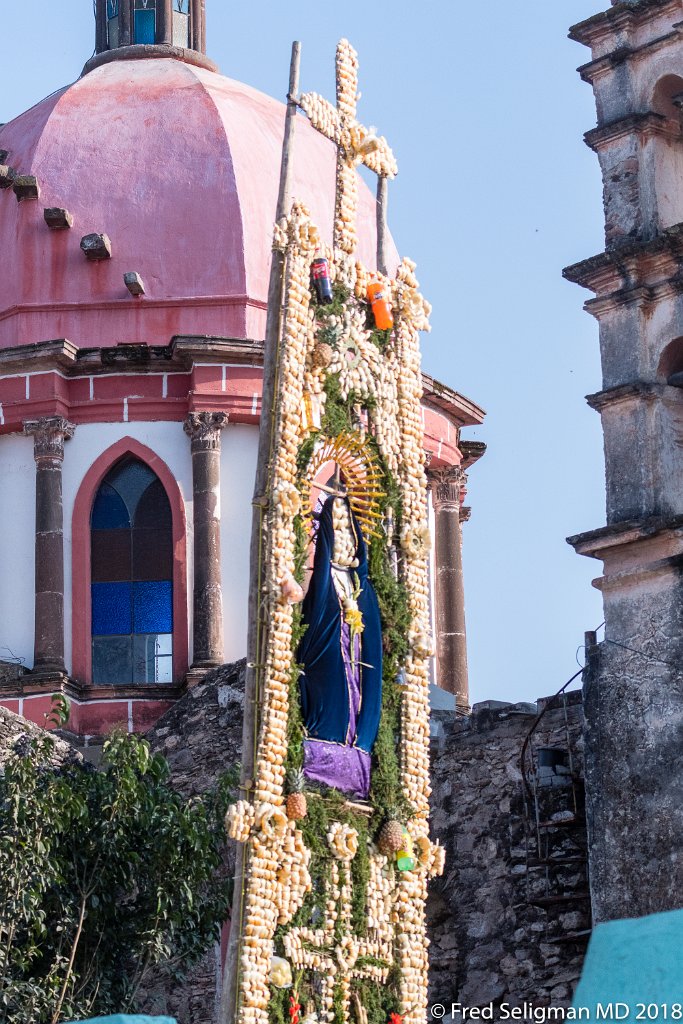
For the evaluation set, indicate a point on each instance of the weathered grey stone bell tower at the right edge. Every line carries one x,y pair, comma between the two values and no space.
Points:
634,679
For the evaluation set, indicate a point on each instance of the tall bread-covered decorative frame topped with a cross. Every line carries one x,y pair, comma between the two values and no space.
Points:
321,345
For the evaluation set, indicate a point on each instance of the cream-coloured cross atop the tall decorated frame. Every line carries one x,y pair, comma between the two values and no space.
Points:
356,144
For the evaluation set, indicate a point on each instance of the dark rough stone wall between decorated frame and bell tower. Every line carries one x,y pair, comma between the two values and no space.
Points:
507,917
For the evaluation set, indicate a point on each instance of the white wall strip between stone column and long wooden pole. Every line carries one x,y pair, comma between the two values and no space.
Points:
238,467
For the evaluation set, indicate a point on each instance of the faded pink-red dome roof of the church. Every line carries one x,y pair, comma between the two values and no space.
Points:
180,167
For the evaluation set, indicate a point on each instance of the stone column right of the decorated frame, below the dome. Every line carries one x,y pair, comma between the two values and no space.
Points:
449,587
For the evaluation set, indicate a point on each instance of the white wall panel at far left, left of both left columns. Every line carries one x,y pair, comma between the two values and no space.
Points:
18,516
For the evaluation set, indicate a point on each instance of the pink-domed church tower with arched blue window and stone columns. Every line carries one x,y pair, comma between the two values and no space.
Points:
133,319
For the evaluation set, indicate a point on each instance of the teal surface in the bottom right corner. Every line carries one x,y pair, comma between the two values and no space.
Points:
632,968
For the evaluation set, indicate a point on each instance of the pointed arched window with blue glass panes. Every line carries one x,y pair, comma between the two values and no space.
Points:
132,578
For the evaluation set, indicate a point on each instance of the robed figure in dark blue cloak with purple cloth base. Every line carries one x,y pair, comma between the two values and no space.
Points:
341,657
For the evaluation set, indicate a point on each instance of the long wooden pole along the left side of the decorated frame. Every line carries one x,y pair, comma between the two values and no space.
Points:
231,996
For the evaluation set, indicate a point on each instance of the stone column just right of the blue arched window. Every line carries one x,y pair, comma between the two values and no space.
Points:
204,431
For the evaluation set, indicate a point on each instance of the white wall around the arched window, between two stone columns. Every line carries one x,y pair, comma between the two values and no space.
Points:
168,442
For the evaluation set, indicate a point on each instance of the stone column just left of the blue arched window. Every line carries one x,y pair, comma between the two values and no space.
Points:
50,436
